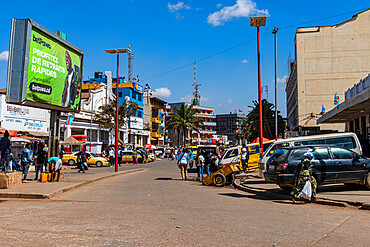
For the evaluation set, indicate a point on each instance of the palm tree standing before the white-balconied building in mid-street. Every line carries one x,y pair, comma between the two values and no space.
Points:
184,119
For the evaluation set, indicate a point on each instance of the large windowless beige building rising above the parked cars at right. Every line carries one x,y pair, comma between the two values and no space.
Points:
328,59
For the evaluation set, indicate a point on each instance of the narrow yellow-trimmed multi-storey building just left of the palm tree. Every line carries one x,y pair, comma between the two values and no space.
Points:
154,118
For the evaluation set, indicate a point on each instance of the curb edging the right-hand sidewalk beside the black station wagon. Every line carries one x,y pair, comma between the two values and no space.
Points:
322,201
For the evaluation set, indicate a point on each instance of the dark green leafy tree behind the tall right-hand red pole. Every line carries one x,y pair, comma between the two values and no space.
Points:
268,120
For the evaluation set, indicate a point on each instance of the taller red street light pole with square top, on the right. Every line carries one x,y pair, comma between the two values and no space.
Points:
259,21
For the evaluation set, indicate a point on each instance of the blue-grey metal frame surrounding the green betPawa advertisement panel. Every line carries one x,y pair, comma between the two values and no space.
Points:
19,49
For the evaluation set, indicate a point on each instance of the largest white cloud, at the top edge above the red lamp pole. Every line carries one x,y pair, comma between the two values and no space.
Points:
242,8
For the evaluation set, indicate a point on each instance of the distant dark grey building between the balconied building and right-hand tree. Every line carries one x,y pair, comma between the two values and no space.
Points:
229,124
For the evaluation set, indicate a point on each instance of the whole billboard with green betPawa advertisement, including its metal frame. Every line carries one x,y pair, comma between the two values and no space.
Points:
44,70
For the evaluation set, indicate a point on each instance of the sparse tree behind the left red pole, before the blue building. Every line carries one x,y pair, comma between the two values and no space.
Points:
106,117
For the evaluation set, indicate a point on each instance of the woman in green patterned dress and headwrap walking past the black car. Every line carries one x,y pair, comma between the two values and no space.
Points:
304,171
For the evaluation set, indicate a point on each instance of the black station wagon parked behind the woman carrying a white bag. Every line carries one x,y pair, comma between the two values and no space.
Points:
331,165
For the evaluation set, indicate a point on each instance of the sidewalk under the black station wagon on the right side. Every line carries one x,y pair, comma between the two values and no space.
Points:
334,194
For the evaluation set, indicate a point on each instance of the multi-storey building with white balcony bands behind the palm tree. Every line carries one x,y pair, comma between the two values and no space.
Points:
207,129
